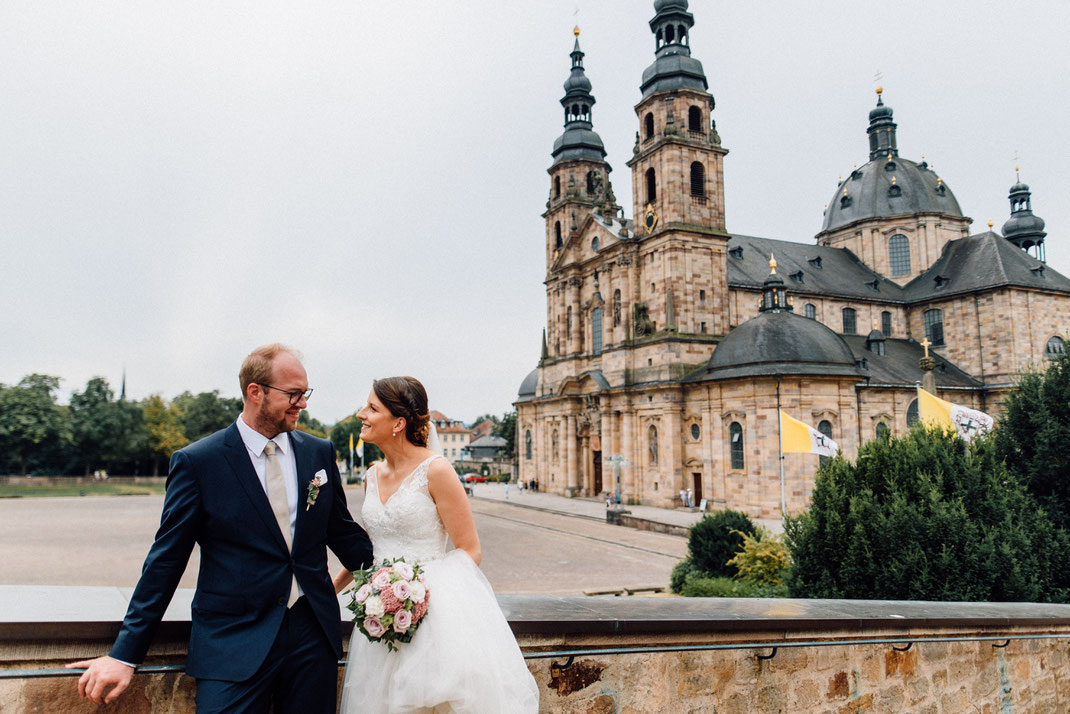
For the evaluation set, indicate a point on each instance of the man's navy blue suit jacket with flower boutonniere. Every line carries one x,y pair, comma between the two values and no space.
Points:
216,499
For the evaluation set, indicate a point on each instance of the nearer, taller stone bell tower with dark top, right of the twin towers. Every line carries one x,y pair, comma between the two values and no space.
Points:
678,162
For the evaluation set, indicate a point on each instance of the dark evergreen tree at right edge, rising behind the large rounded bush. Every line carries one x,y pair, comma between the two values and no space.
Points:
1034,433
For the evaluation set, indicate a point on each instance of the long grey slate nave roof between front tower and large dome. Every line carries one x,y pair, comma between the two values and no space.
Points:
823,270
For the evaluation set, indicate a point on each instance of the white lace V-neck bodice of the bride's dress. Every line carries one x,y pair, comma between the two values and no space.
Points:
408,525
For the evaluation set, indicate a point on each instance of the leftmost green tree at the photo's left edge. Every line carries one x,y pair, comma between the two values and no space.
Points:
32,423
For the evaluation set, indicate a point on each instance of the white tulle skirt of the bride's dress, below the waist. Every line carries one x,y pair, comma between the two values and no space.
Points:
463,659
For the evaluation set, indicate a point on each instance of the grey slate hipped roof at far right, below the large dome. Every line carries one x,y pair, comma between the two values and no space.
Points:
980,263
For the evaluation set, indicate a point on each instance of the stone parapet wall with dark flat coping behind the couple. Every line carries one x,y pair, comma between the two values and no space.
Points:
610,656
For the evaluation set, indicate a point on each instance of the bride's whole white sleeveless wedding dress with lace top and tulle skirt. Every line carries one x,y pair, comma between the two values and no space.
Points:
464,657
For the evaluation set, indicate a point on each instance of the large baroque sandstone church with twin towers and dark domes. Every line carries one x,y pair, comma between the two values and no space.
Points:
670,343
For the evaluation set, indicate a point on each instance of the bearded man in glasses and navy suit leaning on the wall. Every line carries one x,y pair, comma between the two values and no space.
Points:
264,503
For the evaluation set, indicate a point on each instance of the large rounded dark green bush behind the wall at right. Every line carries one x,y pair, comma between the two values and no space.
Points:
926,516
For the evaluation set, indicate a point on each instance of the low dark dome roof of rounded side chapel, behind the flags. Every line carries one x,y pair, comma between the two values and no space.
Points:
782,343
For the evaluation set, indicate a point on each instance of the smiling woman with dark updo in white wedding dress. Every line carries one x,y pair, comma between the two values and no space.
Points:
464,657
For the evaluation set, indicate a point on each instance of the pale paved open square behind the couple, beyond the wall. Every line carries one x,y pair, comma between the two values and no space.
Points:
102,541
